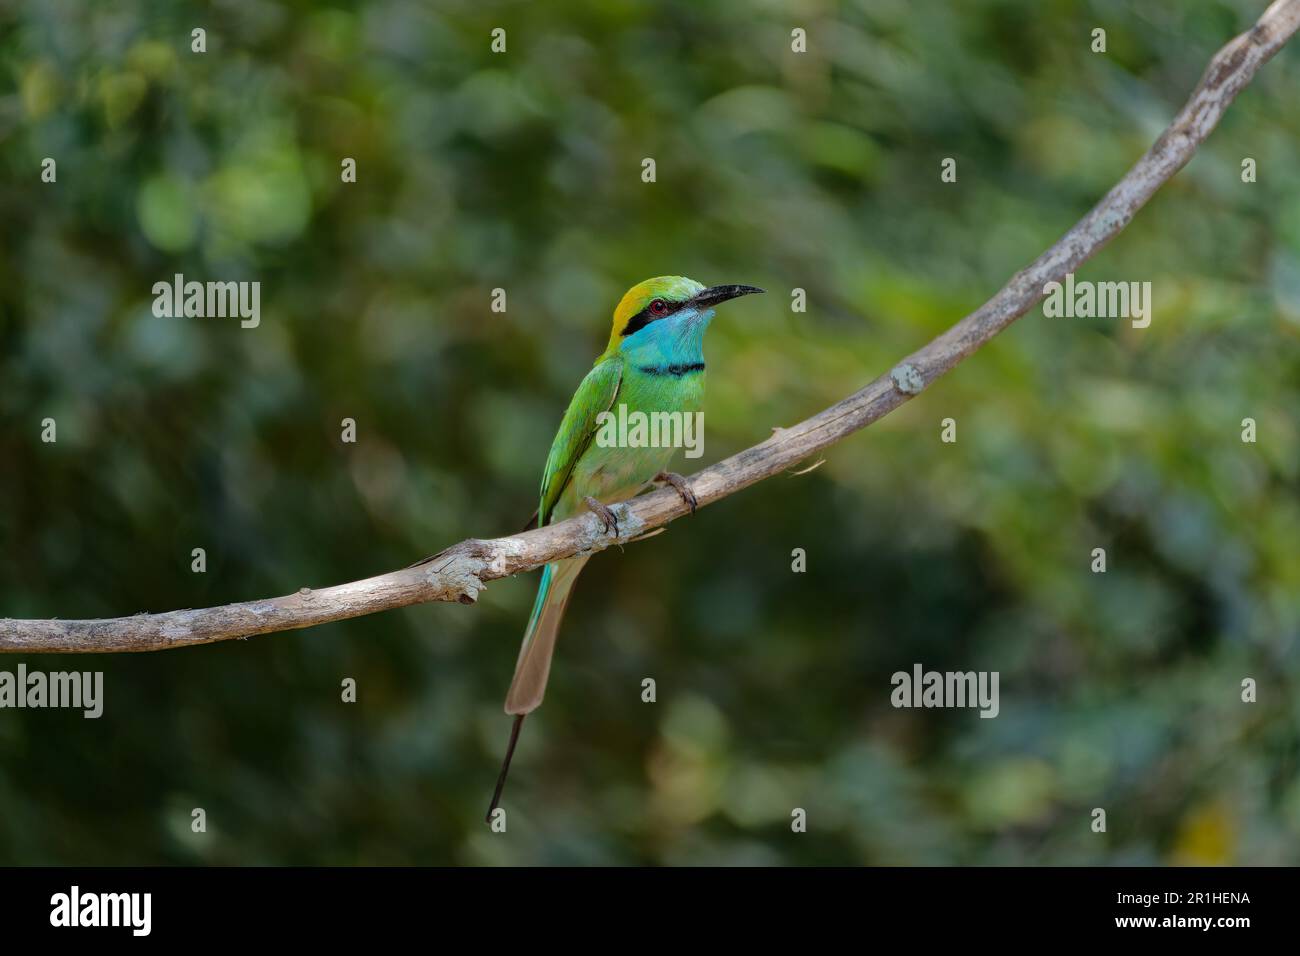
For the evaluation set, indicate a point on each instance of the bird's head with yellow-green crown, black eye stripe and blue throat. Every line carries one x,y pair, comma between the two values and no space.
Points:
669,314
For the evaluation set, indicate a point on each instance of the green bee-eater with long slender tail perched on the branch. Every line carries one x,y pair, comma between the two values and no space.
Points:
655,364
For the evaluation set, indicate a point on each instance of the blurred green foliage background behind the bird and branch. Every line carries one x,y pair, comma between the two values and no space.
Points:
523,171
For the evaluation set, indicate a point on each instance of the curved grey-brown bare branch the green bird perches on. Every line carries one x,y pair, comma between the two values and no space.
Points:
463,570
